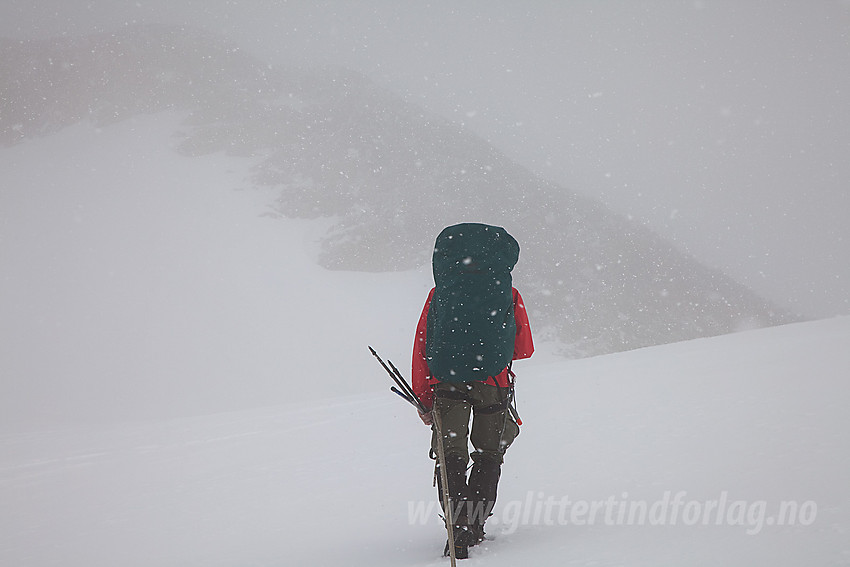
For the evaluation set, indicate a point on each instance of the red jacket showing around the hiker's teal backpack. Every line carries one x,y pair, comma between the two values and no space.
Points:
423,382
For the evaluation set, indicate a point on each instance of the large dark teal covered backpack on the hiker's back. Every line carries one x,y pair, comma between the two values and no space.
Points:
471,327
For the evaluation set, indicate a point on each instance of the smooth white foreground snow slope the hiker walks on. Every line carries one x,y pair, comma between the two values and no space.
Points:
760,416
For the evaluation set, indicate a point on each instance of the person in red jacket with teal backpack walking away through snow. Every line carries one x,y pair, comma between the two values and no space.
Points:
473,325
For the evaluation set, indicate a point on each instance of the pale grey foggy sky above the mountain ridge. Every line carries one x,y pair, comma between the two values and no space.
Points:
723,125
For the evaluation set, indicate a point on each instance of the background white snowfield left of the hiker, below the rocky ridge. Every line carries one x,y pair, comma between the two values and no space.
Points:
139,283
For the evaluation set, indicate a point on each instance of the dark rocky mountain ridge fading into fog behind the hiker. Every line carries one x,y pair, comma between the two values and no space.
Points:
335,145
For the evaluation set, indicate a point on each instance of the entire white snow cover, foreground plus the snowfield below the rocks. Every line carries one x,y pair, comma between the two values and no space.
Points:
181,385
